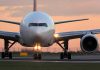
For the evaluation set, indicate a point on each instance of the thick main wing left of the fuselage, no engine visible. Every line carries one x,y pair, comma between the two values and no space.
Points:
13,36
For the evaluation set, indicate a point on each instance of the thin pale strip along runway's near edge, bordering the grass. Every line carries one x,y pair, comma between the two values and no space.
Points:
55,61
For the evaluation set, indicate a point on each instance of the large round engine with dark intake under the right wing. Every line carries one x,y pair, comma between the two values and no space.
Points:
89,43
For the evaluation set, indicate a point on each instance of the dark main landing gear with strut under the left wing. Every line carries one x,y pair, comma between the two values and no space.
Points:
7,46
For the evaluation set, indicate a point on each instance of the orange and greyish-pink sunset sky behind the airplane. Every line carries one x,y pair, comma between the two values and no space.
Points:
15,10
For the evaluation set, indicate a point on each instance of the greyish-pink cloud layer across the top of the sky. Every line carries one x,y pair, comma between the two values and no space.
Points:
19,8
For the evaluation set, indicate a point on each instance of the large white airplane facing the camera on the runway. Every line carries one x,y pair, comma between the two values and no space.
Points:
38,29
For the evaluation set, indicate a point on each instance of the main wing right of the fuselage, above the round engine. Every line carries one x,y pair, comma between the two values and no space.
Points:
75,34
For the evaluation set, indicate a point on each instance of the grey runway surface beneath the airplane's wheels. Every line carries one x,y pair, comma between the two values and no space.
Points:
55,58
